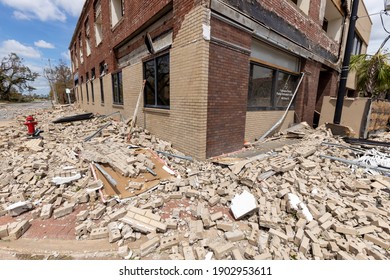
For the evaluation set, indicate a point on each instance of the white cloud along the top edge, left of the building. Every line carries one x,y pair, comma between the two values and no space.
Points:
45,10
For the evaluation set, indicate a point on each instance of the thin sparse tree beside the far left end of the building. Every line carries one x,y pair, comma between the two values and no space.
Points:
60,78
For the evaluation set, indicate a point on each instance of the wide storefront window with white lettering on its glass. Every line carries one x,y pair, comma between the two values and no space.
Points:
270,88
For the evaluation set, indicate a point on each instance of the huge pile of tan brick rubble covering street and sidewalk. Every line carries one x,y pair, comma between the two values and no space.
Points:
294,202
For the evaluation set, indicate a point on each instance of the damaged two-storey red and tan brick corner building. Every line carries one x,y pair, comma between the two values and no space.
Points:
218,72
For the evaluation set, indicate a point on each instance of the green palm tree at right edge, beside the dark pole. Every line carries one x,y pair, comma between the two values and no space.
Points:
373,73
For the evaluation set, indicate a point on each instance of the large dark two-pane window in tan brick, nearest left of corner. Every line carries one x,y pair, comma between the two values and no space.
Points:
156,74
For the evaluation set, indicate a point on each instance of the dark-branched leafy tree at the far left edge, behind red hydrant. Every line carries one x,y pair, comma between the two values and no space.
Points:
14,75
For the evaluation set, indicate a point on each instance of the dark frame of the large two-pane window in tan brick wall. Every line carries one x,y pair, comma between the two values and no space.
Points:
154,59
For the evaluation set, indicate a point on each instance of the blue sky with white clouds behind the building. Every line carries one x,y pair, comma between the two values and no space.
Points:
38,30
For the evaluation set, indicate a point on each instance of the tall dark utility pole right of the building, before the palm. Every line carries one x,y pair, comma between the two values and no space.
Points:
347,58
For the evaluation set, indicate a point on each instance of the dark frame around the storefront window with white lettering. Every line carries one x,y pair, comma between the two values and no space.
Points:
273,93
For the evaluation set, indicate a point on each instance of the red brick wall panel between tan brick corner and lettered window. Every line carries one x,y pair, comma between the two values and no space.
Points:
228,90
